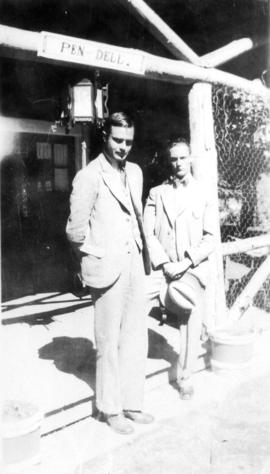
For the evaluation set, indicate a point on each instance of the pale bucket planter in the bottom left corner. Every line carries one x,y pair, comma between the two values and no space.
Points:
21,430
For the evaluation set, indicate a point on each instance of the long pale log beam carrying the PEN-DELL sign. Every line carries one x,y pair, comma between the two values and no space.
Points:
72,51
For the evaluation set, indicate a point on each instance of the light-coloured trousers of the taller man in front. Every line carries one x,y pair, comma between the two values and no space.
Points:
121,339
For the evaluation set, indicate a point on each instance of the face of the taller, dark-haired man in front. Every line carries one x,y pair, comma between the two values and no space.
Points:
119,142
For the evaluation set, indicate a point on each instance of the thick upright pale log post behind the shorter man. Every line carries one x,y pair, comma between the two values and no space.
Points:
205,170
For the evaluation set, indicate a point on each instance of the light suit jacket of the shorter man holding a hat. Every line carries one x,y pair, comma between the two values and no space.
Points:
175,231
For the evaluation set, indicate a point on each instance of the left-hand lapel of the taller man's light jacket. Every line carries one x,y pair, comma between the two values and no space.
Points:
113,182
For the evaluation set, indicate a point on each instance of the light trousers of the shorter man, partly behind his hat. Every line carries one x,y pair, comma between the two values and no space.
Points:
190,320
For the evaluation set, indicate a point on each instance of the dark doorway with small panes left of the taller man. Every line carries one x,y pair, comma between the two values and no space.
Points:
36,184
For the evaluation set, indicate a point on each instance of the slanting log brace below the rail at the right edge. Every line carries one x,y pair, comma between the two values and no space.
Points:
245,299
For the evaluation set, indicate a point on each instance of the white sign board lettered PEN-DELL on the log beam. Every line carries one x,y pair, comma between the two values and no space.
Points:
91,53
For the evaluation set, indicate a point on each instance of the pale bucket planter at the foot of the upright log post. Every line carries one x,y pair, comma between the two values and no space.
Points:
231,348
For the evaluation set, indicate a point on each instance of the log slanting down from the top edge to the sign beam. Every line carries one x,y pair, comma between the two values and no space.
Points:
162,32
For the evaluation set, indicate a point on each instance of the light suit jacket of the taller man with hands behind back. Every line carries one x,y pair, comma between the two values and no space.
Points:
99,221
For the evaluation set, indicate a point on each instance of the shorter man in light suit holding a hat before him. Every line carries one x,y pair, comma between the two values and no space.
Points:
179,227
